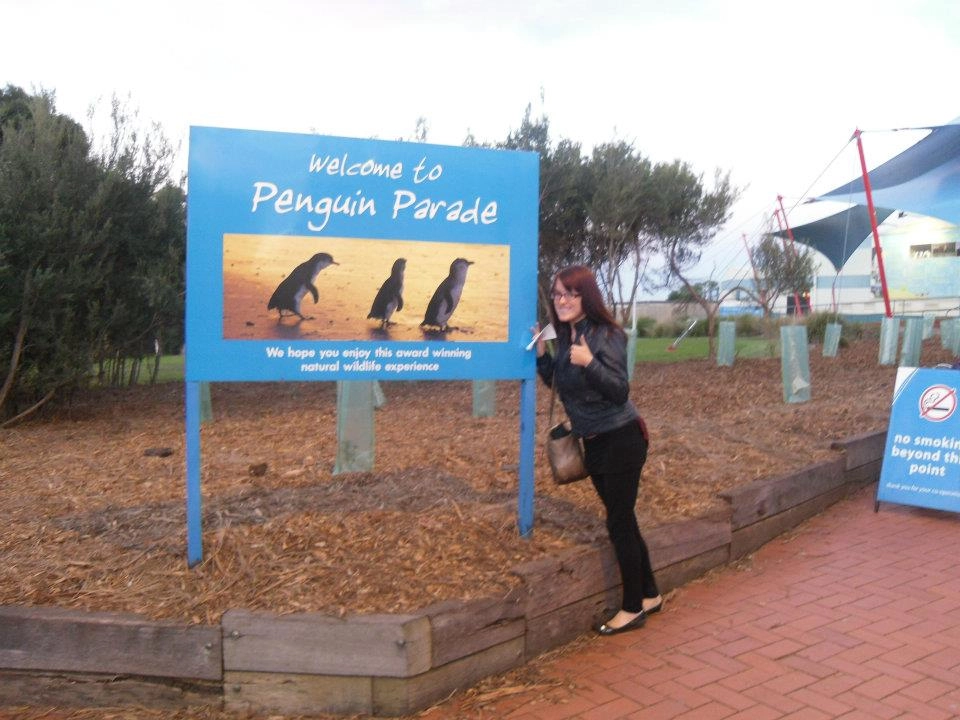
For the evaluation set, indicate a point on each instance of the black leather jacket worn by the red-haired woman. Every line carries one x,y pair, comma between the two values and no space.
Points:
596,397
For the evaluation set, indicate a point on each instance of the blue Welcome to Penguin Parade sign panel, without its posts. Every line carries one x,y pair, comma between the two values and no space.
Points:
324,258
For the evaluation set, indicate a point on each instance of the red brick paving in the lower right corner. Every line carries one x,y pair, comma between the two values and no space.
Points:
854,614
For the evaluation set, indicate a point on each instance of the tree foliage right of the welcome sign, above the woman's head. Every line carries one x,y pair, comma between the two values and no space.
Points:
616,210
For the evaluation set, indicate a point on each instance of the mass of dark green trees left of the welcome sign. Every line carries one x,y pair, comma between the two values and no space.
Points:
91,251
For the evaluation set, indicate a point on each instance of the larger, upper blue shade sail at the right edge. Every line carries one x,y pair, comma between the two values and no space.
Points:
923,179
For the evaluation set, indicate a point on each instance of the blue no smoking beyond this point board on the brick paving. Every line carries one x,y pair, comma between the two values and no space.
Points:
921,462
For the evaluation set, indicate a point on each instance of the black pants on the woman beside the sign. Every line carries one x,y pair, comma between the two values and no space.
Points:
615,460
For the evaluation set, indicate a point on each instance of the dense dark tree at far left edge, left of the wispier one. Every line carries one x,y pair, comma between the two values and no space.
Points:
48,257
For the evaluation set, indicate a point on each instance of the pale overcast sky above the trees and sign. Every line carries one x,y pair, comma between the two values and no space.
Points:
769,91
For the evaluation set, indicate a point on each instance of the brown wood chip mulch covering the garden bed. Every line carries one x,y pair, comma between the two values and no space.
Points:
94,495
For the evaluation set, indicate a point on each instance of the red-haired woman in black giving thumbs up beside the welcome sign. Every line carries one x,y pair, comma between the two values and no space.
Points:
590,376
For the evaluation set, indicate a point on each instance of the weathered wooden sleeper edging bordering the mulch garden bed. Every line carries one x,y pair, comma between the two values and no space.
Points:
391,664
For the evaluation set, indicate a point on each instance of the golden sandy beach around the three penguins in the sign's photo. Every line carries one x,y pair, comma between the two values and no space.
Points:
253,266
